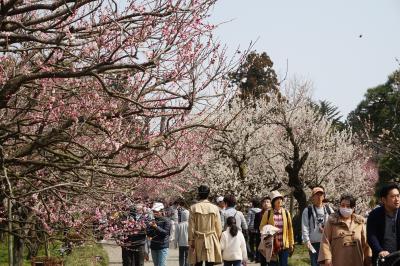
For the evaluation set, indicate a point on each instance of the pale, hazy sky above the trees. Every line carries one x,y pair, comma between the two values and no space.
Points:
321,41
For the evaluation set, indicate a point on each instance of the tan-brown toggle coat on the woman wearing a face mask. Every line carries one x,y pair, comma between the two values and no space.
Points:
343,245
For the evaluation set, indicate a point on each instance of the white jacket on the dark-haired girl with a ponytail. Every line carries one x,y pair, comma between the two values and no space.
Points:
233,248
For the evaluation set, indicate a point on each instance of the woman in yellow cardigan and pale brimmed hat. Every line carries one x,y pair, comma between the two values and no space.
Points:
284,239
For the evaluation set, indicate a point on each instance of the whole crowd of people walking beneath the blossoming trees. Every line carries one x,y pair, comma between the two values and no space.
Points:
209,233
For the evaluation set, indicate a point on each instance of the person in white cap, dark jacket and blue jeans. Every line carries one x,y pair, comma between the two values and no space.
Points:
159,231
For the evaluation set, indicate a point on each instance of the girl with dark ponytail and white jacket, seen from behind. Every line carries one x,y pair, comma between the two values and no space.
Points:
233,245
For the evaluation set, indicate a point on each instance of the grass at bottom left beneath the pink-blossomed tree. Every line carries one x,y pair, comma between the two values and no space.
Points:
83,256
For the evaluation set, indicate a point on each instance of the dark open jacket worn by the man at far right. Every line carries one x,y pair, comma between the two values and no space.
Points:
376,231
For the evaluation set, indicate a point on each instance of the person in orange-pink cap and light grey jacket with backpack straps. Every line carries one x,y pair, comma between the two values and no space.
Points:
313,221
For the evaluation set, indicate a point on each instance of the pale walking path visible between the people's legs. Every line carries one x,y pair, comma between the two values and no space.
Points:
115,257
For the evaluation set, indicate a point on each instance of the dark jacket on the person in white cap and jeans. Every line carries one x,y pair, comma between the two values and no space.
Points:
160,234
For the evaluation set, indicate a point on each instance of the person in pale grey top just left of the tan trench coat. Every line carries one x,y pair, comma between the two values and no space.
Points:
181,237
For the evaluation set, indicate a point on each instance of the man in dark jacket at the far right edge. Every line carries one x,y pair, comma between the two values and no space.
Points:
383,224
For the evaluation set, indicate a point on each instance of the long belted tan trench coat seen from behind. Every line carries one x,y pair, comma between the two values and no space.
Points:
205,232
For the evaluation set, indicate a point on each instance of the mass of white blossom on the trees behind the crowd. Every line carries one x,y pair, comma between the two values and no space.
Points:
258,139
